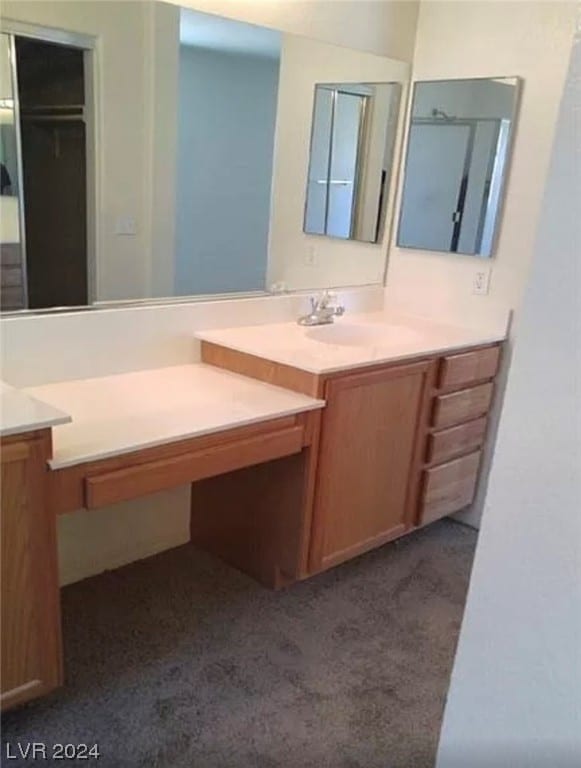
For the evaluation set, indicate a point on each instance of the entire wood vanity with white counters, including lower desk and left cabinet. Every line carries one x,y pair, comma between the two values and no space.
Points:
303,447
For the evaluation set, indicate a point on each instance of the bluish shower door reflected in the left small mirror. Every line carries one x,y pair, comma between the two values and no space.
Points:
338,126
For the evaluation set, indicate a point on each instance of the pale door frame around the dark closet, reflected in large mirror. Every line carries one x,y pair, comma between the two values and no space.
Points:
89,45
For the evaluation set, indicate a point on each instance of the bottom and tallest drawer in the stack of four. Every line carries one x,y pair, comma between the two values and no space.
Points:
449,487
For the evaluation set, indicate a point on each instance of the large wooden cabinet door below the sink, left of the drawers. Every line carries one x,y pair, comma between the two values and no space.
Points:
367,464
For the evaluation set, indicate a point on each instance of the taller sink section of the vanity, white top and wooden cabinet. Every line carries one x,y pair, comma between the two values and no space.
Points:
402,431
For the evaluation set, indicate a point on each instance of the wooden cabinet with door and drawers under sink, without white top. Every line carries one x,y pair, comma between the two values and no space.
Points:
400,443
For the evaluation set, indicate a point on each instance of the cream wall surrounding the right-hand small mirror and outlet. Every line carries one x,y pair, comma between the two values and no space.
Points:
488,39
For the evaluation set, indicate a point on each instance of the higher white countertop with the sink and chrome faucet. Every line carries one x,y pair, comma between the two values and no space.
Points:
391,338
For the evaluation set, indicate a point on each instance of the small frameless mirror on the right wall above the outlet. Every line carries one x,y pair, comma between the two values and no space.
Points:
456,166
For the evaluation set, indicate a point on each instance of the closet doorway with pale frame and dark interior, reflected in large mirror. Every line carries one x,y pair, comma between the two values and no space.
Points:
53,129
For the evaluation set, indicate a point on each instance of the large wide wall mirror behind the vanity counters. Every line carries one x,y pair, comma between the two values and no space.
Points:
155,152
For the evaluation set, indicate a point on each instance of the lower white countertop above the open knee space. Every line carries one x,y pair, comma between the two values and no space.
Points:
127,412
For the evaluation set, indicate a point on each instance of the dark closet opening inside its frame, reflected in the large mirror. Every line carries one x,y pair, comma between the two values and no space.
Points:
51,92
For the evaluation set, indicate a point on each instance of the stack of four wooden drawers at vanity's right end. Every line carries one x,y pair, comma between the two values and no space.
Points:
457,431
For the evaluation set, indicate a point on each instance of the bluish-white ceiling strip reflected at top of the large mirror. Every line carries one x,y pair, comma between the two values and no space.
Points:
203,30
